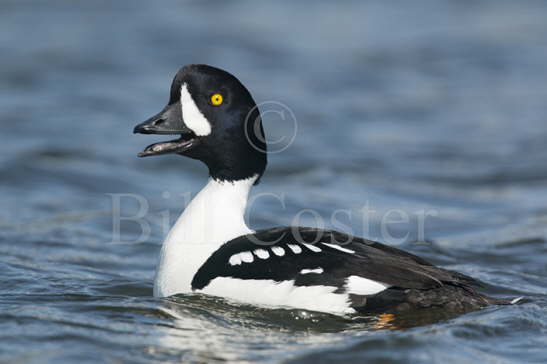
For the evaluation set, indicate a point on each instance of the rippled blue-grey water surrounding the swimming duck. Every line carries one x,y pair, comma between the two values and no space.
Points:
435,106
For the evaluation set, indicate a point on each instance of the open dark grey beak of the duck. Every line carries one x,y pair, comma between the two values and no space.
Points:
169,121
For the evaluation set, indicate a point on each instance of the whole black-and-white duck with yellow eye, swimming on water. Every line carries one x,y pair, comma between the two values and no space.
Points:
211,250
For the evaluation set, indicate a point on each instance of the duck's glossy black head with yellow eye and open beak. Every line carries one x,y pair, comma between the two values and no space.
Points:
217,120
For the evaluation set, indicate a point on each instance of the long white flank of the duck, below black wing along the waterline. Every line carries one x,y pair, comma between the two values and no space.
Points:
280,294
